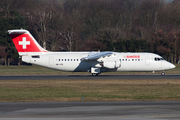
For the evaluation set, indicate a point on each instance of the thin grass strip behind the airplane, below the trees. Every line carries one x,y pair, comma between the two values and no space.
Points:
37,70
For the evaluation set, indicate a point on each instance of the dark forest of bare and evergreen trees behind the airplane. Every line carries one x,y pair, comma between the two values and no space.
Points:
91,25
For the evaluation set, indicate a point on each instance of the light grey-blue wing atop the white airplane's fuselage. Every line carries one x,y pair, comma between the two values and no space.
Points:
95,56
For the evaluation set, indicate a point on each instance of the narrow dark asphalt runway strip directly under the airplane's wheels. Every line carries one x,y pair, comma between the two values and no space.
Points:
86,77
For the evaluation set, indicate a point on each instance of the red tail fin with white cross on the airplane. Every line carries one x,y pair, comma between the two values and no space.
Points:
25,43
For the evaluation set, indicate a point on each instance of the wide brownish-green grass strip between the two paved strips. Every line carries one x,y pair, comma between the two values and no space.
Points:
91,90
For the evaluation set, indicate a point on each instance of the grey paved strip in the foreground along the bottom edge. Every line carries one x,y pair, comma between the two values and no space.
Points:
156,110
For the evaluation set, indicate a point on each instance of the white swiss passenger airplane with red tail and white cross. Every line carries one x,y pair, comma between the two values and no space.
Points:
95,62
